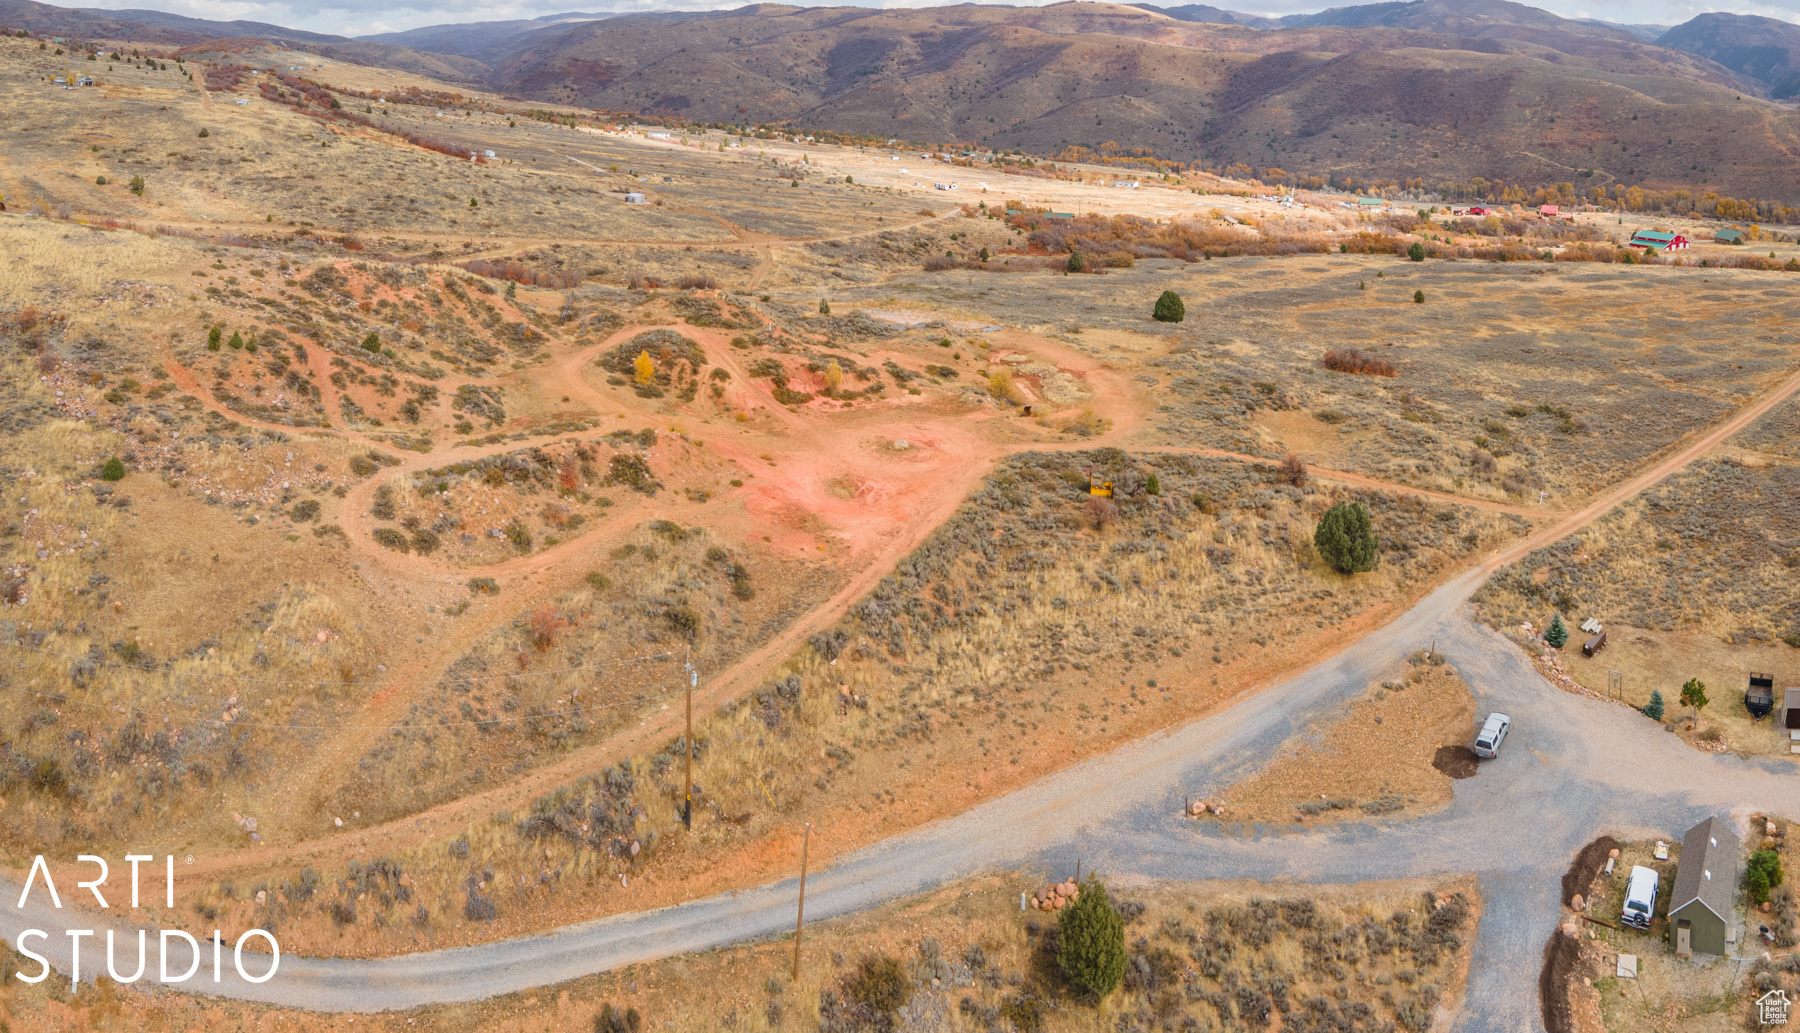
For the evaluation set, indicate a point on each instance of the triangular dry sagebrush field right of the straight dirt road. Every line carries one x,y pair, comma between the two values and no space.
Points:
1691,582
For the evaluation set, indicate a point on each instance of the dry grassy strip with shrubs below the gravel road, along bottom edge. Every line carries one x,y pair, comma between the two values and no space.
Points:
1201,957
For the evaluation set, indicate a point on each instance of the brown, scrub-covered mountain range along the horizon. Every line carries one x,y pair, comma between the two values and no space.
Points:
1421,89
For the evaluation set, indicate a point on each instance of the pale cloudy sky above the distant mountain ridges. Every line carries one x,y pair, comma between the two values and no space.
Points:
361,19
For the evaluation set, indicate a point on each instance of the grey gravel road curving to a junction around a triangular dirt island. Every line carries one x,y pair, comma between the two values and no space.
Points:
1572,769
